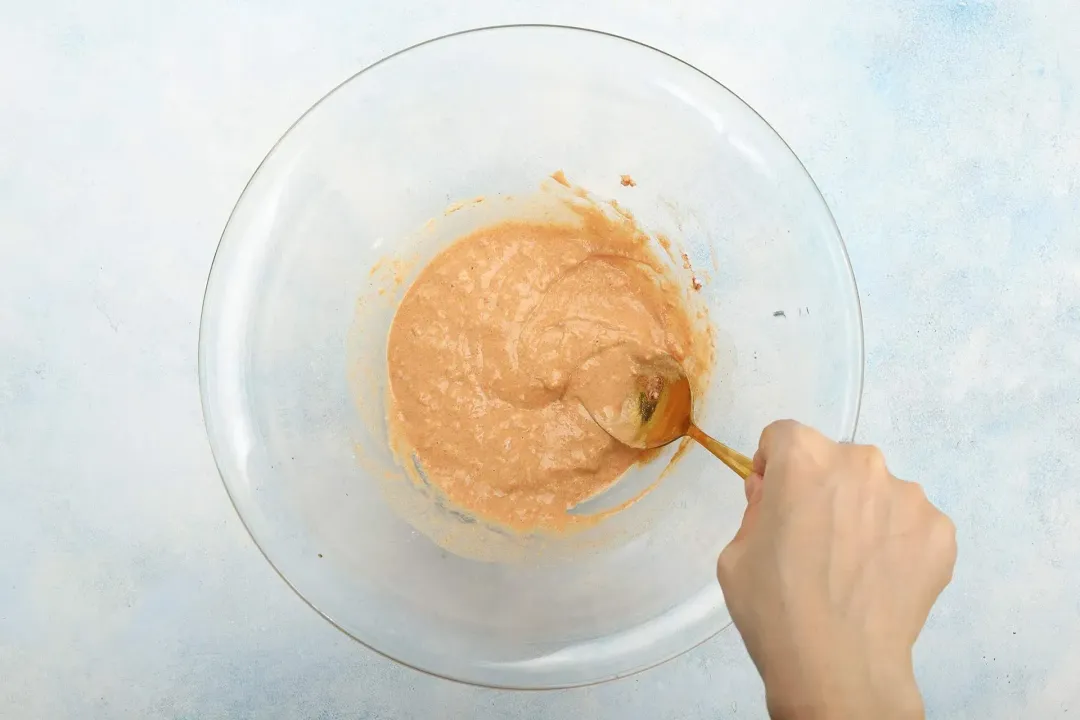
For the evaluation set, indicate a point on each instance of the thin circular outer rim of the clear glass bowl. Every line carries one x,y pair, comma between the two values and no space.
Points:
210,278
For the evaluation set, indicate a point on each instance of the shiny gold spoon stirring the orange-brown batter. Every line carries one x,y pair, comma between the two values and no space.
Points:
657,411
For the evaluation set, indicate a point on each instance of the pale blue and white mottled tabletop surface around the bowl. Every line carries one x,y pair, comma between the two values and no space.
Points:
946,137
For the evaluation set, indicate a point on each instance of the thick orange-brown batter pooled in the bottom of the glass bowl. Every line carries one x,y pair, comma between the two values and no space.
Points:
489,343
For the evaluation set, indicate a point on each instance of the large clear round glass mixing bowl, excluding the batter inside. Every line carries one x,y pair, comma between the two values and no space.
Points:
485,113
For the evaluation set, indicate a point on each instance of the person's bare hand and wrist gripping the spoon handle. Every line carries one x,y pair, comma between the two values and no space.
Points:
832,577
